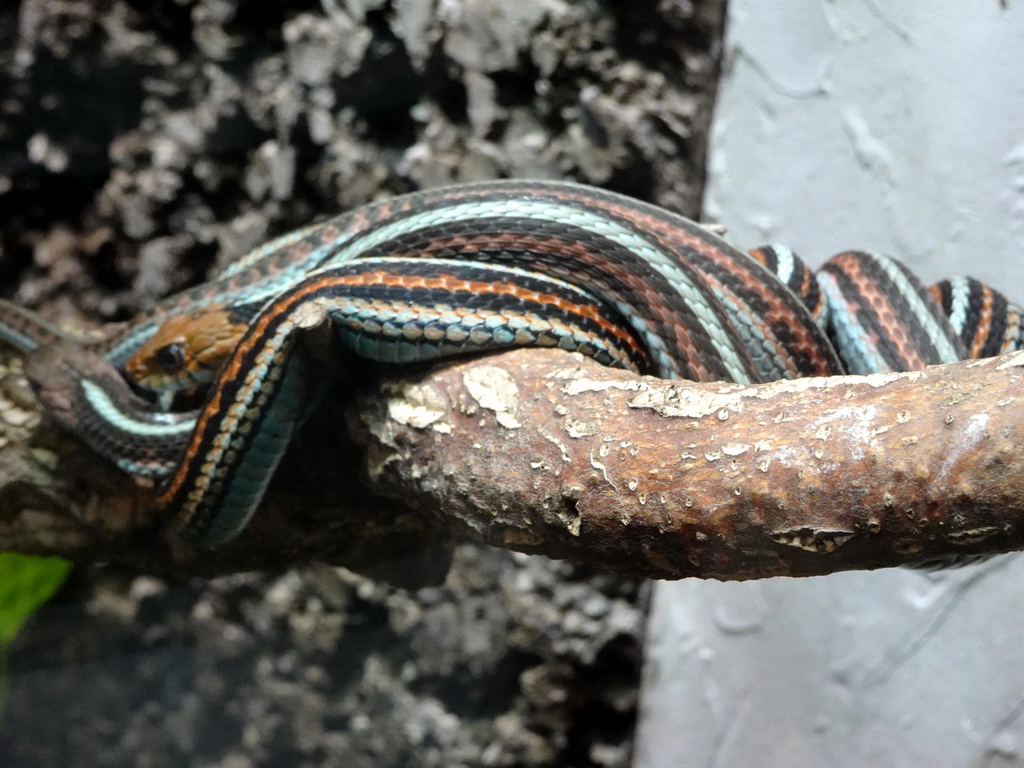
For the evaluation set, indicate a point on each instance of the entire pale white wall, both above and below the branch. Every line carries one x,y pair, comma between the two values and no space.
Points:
897,127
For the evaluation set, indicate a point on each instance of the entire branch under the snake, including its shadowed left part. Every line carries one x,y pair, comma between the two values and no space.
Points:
541,452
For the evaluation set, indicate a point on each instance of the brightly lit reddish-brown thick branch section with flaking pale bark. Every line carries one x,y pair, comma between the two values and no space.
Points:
665,480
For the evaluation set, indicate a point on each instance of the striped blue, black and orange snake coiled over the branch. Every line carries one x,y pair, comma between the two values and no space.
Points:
467,270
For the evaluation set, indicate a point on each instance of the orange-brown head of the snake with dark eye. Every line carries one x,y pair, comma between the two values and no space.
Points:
186,353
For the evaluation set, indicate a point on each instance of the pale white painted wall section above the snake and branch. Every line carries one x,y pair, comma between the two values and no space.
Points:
890,126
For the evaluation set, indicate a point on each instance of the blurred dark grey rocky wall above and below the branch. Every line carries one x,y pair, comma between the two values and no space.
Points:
144,145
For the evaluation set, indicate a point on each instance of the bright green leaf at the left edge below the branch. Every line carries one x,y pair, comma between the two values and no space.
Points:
26,583
